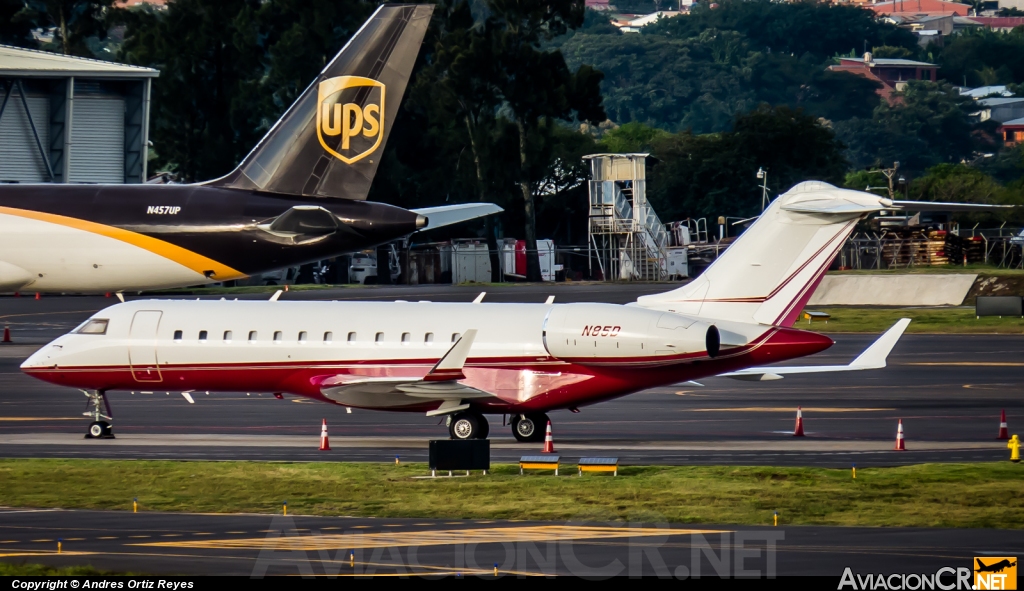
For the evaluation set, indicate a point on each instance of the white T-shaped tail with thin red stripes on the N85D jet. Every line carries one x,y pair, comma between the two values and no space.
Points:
771,272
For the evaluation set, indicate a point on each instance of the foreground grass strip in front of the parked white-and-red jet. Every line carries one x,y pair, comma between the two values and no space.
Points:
982,495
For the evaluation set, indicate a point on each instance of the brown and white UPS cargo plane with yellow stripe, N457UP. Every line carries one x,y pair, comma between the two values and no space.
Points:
298,197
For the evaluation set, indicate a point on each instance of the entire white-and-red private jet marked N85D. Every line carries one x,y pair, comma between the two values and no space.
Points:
465,361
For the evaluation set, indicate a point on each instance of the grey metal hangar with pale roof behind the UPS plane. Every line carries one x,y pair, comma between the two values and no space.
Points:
67,119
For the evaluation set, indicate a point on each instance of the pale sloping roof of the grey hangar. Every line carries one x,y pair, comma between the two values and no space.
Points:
31,63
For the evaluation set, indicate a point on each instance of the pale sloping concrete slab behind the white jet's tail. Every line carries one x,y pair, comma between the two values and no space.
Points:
893,290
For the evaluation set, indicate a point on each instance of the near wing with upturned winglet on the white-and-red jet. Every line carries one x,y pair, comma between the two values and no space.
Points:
441,384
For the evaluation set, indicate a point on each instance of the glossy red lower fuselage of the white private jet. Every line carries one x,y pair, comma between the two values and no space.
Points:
504,377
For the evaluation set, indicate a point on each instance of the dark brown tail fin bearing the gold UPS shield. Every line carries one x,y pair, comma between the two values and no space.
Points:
329,143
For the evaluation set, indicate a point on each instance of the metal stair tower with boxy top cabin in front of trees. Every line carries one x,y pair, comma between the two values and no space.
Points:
627,239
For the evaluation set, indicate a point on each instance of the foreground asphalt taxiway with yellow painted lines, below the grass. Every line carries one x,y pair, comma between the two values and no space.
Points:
255,545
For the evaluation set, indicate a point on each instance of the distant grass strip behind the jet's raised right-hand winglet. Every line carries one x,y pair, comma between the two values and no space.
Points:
945,321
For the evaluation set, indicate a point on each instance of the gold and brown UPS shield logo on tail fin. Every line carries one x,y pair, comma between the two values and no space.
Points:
351,117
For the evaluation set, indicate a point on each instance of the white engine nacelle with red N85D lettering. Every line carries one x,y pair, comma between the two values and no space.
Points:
599,334
